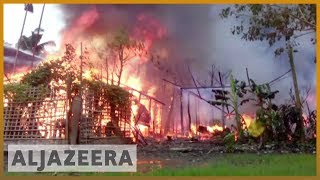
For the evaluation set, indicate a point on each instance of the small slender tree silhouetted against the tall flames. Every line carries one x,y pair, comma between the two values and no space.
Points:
124,49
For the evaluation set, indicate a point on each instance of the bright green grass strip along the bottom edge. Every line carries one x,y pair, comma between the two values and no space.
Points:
232,165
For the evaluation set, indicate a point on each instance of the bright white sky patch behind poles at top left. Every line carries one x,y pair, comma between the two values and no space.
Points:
13,18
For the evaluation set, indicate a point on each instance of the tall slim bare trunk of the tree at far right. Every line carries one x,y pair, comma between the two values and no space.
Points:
300,126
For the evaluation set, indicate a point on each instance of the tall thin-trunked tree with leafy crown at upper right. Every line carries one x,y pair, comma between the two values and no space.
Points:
279,25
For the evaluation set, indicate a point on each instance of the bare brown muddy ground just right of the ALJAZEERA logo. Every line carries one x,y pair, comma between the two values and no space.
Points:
176,153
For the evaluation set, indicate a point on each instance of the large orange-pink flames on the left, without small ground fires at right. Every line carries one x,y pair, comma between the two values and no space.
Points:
75,36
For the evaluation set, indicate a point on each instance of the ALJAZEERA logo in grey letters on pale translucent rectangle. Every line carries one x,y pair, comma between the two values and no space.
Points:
72,158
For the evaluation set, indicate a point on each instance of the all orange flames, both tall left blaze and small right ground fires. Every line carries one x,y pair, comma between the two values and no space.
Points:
147,30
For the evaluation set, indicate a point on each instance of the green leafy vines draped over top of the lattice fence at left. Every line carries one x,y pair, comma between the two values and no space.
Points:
59,70
